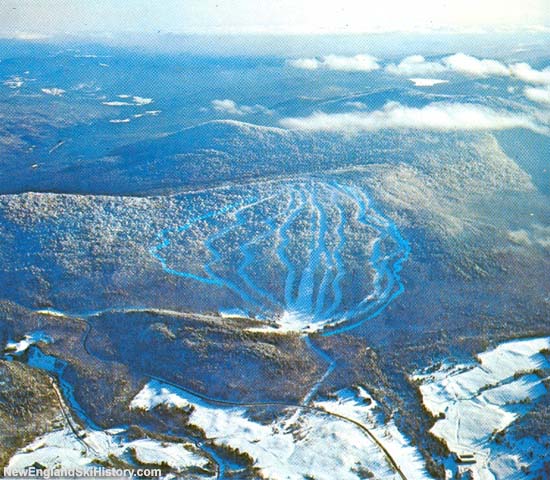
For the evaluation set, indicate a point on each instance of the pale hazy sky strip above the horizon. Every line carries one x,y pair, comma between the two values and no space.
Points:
35,18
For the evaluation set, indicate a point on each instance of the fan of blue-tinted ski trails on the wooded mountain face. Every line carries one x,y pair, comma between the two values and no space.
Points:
312,284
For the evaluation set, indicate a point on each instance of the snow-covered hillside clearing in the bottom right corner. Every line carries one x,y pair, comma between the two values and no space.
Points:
482,398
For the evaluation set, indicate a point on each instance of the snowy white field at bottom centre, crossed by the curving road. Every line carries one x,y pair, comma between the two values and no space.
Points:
316,444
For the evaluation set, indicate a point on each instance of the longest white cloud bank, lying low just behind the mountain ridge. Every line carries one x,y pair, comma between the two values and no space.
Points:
435,117
